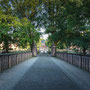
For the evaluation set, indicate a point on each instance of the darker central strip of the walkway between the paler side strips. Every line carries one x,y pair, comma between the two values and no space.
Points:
45,75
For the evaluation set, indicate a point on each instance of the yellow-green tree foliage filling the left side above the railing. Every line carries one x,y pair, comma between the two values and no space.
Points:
15,26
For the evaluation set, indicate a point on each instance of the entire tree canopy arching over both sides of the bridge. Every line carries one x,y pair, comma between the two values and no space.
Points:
66,21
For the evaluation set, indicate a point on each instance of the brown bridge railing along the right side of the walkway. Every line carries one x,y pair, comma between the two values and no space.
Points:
82,61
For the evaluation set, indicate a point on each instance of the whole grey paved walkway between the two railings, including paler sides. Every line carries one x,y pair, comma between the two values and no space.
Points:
44,73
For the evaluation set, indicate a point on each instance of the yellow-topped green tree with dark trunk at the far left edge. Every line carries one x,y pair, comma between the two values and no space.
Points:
7,24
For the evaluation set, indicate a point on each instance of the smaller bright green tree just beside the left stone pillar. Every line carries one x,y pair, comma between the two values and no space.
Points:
28,34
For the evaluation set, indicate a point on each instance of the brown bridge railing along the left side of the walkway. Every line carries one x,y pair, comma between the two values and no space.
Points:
10,60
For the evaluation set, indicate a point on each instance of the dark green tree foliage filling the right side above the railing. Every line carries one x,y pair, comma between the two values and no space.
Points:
68,23
